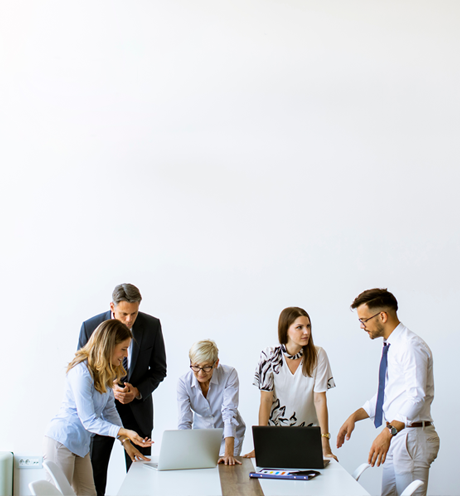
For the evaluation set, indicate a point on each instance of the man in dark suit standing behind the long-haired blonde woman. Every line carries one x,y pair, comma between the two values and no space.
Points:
146,366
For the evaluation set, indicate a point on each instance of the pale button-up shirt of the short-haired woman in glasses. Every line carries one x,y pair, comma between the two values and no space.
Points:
218,409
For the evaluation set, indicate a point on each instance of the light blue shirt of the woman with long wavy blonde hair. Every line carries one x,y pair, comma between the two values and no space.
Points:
83,413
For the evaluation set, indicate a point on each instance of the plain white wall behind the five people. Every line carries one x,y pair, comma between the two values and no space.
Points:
230,158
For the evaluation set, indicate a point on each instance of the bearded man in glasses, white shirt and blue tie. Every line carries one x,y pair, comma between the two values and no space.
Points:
408,442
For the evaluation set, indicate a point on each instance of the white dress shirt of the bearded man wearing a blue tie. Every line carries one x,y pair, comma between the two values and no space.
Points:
409,383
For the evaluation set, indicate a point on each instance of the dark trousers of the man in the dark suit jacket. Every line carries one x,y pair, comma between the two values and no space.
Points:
101,448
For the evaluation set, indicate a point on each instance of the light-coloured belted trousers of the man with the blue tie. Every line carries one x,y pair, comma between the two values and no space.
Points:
411,453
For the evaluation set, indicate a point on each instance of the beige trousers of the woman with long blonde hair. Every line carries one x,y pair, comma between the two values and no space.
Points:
77,470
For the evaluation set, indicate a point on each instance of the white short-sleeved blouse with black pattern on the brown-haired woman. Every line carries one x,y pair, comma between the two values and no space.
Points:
293,394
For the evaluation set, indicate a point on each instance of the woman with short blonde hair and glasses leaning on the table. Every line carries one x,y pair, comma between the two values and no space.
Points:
207,397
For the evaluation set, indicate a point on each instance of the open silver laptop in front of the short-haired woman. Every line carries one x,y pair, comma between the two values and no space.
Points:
190,448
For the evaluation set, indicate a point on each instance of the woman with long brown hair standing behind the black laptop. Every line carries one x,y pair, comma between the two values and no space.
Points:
293,378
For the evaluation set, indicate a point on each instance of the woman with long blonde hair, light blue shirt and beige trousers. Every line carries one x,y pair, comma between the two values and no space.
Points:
89,407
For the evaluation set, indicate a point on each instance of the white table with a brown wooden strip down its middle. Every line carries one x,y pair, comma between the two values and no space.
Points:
145,481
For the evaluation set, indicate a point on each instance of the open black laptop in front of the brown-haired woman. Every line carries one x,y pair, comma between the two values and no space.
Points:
288,447
